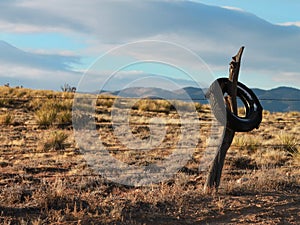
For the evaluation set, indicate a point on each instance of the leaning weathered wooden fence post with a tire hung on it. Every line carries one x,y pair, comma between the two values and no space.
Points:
213,179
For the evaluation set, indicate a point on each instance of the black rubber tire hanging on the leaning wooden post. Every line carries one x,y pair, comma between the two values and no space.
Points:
253,115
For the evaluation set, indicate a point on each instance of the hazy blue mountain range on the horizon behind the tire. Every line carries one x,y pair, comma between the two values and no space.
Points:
281,99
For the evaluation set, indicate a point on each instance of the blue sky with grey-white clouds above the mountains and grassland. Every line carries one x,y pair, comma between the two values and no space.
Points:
99,44
